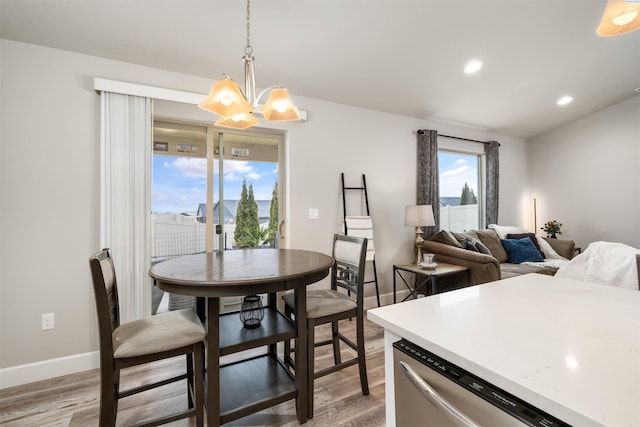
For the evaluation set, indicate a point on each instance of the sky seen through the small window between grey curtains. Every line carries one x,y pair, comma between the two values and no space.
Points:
455,169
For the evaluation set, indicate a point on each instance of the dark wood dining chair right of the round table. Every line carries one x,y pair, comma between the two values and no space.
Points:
345,300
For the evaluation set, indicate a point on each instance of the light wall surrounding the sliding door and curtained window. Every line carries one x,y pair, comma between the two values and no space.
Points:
49,183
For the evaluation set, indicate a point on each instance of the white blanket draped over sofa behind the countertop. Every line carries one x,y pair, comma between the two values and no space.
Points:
606,263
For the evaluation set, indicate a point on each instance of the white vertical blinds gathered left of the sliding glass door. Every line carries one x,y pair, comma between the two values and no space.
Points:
125,196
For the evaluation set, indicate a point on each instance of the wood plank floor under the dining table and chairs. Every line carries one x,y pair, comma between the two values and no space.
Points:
73,400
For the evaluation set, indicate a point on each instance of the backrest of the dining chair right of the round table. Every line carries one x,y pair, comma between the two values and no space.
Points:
349,254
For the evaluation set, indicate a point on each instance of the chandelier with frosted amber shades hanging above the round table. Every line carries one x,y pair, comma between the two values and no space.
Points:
236,109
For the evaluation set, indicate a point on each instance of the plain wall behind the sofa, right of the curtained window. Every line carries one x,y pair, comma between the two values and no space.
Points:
586,175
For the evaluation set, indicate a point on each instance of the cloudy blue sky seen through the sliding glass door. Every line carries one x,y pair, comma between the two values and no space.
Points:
179,183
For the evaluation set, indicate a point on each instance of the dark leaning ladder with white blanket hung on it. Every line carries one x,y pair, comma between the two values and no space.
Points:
361,226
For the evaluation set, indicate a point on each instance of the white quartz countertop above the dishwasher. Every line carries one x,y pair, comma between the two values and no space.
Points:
570,348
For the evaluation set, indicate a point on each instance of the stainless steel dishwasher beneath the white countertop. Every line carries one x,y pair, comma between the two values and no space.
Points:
432,392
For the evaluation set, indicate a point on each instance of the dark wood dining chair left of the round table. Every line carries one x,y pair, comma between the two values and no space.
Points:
142,341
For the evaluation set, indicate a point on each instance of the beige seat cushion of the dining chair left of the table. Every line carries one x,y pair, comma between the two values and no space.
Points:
157,333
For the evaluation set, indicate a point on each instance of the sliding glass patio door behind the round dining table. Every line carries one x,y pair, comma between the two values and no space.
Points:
214,190
